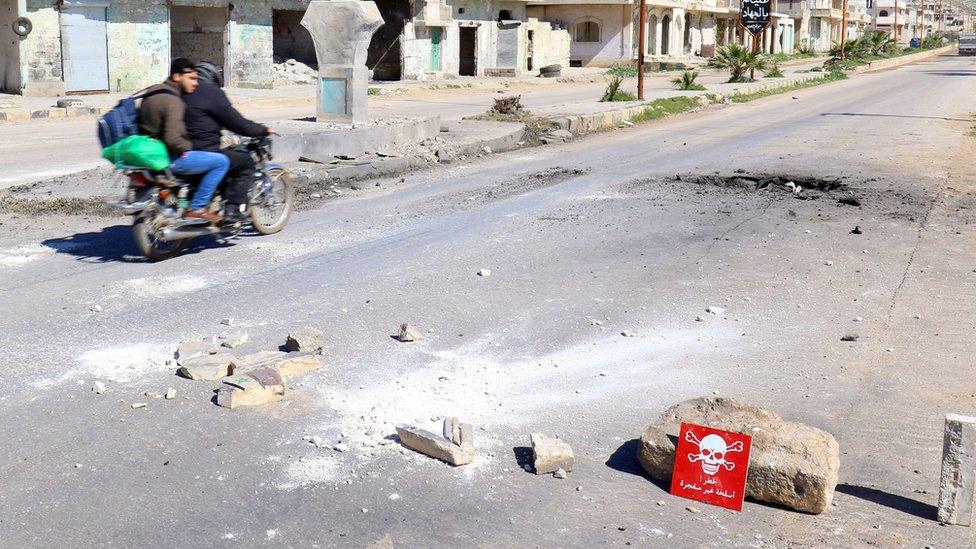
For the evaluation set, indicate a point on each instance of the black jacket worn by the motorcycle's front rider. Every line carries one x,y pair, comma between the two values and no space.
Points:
208,110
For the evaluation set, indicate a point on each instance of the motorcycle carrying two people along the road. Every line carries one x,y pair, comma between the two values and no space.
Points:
157,201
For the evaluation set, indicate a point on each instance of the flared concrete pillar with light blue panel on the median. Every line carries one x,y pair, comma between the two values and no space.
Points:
342,30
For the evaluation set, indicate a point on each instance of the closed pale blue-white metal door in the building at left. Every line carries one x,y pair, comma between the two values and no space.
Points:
84,47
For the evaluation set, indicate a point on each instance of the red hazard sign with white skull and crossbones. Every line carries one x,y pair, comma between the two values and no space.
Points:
711,466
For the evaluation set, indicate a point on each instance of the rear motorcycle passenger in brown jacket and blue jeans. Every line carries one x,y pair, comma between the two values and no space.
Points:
162,116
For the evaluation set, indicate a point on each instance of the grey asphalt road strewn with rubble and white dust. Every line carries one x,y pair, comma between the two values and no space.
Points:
585,240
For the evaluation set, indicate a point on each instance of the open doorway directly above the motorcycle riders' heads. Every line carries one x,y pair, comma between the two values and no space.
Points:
199,34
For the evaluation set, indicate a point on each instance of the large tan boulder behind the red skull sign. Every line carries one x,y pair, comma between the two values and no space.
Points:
791,464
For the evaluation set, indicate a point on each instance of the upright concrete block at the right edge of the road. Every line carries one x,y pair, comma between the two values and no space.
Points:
958,480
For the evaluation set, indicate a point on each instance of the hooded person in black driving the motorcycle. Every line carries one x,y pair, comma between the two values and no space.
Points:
208,111
